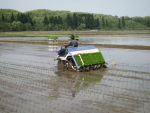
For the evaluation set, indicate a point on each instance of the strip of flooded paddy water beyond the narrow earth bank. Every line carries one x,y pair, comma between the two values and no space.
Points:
136,39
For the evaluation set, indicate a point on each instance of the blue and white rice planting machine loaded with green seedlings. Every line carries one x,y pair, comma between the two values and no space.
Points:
82,58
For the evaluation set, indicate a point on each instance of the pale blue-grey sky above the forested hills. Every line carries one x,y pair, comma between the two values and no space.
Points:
118,8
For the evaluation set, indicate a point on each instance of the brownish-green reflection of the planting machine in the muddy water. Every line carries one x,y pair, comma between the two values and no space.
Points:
73,82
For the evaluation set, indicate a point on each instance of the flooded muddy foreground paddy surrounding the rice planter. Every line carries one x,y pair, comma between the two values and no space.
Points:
32,82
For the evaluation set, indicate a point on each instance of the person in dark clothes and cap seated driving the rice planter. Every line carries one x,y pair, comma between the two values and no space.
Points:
72,43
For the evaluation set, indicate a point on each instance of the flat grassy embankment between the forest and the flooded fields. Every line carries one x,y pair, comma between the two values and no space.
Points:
66,33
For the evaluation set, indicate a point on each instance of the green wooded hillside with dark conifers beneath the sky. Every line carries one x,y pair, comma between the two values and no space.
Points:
48,20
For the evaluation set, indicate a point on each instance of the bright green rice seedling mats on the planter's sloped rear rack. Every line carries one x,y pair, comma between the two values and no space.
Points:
89,59
